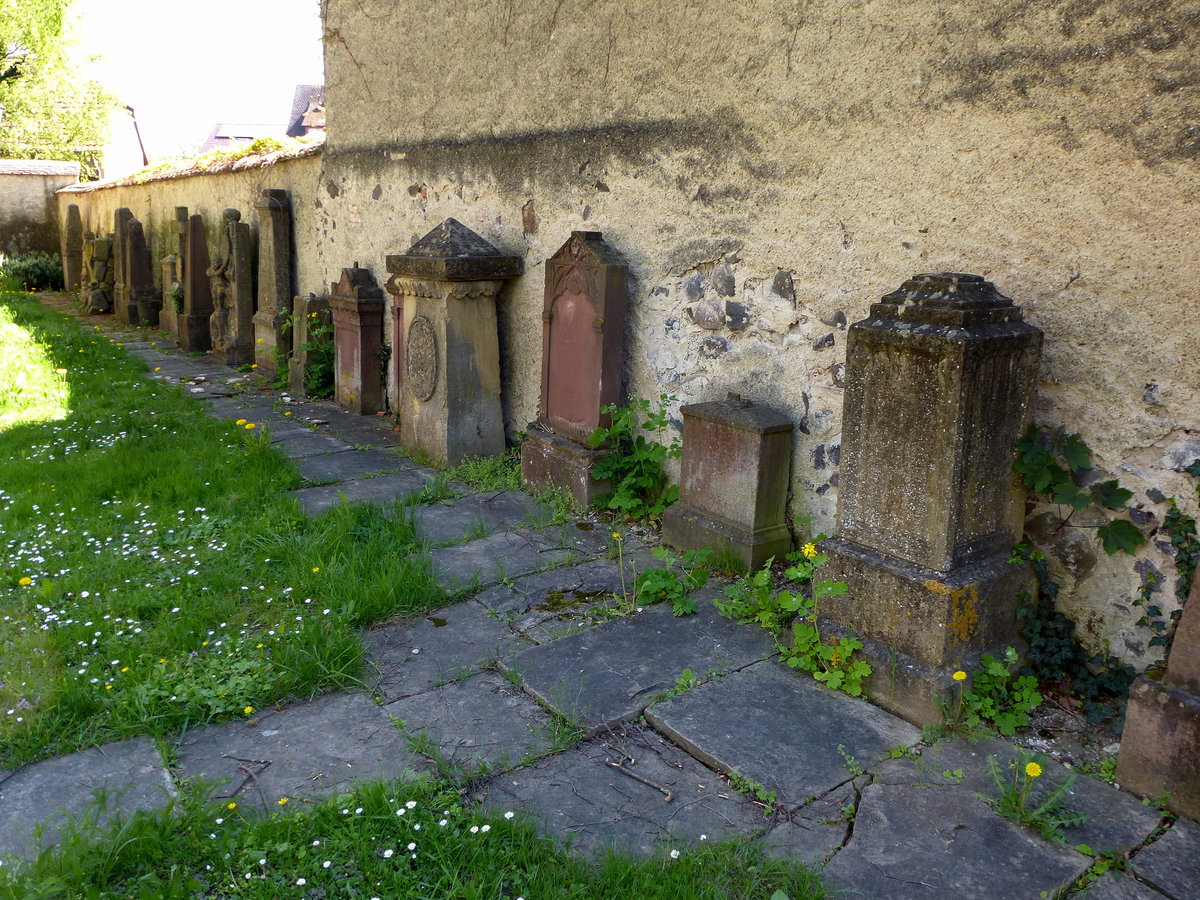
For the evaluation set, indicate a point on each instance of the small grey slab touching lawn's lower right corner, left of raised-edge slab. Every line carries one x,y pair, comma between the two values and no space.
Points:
478,722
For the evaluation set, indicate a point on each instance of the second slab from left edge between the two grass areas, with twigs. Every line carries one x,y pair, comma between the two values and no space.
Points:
308,751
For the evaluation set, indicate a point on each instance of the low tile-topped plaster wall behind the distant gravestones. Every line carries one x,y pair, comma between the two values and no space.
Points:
153,201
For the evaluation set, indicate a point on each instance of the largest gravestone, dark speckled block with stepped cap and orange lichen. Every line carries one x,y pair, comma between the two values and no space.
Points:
940,387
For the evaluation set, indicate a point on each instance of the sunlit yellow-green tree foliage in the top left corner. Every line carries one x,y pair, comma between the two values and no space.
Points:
51,110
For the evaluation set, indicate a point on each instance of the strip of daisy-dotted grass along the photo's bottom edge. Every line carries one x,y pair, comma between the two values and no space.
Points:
385,841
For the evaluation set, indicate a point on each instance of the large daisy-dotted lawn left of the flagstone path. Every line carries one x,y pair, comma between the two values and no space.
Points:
154,573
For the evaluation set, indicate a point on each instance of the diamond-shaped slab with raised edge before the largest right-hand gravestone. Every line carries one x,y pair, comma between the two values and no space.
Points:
791,734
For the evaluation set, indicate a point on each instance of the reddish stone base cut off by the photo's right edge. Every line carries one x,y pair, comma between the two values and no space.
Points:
1161,746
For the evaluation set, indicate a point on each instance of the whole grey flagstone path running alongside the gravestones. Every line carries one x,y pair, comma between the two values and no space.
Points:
577,722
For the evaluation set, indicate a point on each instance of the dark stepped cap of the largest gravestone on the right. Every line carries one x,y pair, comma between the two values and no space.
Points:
947,299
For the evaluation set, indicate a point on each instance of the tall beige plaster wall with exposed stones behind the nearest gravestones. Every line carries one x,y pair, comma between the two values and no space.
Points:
769,169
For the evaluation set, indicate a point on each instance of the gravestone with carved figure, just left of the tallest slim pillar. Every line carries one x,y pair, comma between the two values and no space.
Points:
232,322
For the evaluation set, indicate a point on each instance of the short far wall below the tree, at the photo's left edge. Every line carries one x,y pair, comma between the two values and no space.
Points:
29,215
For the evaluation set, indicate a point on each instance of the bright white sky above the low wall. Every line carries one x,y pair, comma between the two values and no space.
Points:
185,68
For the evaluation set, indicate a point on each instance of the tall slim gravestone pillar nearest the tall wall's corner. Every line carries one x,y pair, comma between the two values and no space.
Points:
272,340
